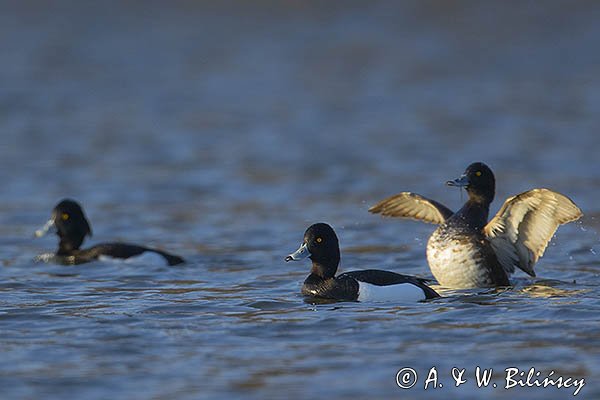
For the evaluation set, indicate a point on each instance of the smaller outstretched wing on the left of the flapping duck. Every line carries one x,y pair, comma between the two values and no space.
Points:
414,206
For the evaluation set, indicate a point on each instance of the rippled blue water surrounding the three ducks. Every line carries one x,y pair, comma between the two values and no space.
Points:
220,132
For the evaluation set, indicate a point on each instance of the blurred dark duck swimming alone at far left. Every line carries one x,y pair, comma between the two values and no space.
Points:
69,222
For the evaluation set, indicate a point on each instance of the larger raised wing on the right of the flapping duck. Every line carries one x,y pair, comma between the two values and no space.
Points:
521,230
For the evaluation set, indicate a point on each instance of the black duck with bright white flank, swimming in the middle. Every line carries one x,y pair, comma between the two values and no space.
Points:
321,245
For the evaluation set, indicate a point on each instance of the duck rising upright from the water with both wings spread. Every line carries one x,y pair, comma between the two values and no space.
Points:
468,251
